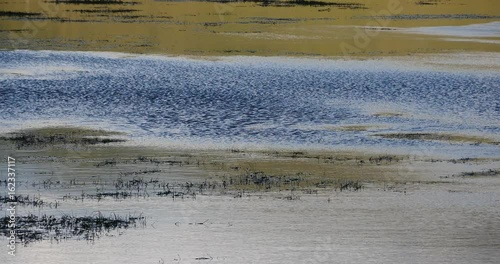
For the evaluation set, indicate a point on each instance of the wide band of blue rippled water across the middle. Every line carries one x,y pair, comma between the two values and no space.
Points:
245,102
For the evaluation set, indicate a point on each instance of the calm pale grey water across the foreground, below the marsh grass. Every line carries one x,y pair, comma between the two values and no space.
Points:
425,225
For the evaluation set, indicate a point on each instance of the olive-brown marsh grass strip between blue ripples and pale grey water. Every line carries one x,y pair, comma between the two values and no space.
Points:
125,172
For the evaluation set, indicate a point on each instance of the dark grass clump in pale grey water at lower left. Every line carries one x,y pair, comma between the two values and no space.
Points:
32,228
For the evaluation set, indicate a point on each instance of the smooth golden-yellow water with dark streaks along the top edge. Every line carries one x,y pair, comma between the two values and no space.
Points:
242,28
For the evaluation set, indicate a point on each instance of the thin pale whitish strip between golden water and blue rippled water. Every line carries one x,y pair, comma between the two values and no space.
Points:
477,62
